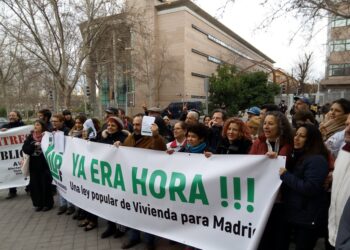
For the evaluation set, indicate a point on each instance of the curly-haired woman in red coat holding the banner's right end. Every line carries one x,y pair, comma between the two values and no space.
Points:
276,139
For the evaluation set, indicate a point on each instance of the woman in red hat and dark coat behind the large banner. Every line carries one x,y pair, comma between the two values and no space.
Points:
113,135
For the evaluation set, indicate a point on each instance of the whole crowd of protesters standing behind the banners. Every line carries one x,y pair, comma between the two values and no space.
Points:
314,191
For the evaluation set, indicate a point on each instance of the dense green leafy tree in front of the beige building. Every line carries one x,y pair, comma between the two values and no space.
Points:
239,91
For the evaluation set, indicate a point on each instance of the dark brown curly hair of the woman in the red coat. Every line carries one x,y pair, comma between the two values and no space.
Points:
285,132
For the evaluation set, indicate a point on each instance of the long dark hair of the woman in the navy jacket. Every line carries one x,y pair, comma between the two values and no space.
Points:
314,144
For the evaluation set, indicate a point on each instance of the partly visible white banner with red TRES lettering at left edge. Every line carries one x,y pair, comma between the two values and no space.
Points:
11,142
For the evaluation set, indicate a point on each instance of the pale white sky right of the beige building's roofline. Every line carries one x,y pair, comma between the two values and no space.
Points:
244,18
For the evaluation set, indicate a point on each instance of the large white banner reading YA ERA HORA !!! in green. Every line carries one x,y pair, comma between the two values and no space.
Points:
221,202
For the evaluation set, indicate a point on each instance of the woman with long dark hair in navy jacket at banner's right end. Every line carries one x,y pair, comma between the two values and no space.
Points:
303,192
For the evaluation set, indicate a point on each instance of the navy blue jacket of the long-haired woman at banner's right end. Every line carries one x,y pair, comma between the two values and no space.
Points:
303,192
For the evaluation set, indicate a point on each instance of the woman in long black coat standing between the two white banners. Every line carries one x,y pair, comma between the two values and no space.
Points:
39,171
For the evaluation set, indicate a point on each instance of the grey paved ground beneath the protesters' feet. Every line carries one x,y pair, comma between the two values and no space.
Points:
23,228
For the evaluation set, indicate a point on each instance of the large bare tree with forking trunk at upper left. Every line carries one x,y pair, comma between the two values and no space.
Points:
49,30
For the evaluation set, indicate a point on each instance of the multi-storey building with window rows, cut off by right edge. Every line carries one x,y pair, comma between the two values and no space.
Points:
337,76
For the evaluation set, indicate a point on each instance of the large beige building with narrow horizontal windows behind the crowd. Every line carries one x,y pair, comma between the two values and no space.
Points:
161,52
